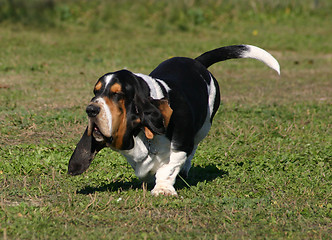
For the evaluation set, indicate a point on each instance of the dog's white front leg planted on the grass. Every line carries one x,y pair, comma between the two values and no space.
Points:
166,174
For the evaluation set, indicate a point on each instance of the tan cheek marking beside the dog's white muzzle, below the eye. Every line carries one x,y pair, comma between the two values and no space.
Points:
119,121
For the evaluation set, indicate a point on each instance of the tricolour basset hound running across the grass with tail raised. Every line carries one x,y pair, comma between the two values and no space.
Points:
157,121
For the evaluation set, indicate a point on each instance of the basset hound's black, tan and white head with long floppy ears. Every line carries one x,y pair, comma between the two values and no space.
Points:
120,109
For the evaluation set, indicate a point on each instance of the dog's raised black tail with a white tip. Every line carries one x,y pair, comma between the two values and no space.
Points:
238,51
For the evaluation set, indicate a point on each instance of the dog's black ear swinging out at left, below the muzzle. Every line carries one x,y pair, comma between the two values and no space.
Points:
85,151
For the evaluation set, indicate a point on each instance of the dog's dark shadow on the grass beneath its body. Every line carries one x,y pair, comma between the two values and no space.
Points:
197,174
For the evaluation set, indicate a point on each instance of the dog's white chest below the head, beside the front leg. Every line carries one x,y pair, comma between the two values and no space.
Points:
148,155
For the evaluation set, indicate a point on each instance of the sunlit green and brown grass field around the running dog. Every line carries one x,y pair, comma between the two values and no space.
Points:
264,171
